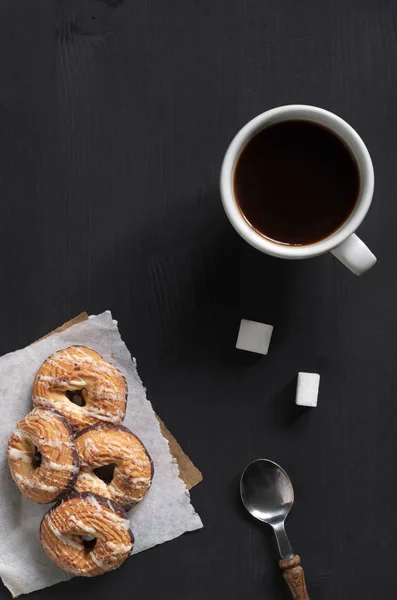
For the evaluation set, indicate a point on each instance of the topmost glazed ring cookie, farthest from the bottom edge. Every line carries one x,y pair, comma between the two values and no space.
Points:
81,385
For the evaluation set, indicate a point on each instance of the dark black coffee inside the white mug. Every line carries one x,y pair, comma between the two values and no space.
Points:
296,182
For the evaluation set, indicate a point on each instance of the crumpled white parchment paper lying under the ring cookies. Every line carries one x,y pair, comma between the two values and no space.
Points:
164,514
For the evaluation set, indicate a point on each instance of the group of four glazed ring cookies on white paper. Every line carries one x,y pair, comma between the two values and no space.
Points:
72,450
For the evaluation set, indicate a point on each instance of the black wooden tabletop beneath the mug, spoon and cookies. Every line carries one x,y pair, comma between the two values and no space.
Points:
114,118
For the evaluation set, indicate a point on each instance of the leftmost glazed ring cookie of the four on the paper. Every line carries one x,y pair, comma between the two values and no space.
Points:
42,456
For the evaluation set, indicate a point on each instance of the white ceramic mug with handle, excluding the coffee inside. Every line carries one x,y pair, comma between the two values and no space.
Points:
343,243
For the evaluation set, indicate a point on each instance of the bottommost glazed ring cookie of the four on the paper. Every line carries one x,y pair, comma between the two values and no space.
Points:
86,535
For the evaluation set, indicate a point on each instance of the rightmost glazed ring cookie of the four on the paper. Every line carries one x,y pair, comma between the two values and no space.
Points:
118,451
